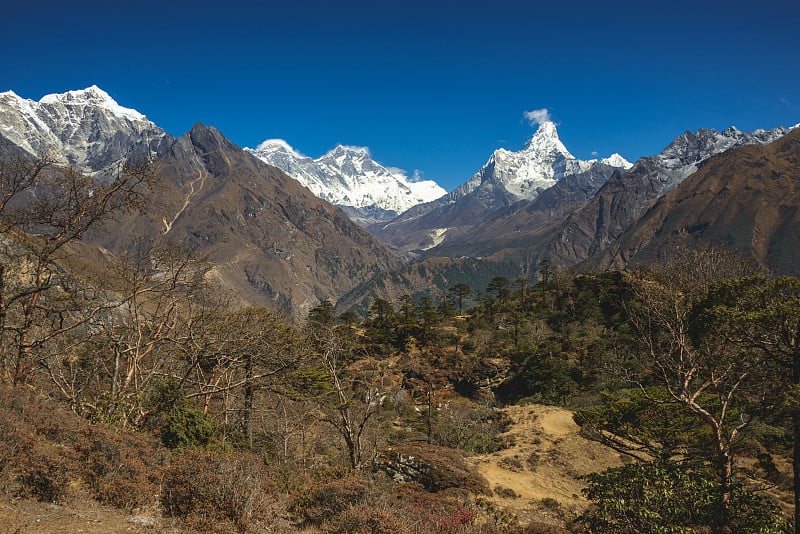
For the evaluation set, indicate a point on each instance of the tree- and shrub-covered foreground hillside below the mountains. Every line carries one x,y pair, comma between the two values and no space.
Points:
131,382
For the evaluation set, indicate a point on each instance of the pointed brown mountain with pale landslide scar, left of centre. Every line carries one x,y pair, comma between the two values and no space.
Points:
270,240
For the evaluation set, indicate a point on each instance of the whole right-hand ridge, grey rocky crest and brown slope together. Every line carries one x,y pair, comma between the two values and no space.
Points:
733,189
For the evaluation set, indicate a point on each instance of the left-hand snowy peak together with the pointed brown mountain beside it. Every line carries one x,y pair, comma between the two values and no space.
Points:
270,241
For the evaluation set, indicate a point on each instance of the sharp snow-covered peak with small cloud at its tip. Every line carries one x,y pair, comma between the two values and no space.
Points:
542,162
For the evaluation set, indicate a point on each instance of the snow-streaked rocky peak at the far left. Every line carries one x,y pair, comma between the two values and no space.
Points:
87,128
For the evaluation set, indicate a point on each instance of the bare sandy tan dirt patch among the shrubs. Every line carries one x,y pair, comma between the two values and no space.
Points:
537,475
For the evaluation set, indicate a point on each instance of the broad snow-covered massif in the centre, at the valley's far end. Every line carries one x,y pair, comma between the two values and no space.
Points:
348,176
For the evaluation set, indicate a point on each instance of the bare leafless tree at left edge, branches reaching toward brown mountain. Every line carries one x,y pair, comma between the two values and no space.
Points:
43,209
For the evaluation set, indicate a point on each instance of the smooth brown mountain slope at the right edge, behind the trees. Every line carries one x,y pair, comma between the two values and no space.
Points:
747,199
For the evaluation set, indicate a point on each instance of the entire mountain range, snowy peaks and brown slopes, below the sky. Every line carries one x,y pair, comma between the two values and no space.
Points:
274,242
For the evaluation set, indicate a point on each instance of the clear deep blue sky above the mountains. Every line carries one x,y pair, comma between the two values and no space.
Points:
430,86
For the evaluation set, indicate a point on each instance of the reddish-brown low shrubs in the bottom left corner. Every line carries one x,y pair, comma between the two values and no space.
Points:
48,453
